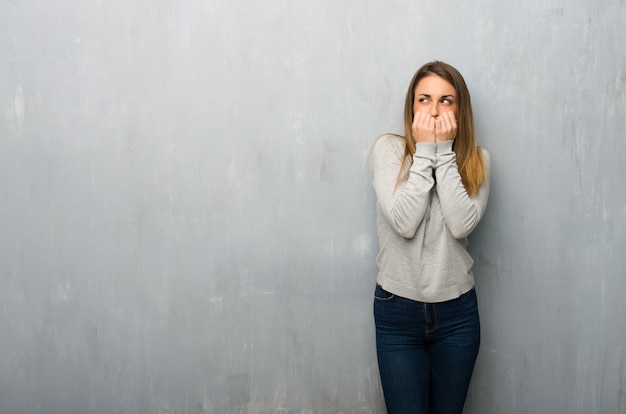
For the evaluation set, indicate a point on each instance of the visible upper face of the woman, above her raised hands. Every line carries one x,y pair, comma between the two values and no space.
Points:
434,95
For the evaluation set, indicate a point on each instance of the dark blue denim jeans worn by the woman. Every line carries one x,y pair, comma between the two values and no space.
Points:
426,352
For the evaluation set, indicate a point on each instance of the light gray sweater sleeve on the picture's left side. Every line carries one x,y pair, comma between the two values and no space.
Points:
403,207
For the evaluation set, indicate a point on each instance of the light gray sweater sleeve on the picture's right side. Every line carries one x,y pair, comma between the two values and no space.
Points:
461,212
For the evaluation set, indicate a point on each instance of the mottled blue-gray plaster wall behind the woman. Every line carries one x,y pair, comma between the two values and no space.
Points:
188,226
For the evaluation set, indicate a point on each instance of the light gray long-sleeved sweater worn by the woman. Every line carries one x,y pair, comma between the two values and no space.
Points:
424,222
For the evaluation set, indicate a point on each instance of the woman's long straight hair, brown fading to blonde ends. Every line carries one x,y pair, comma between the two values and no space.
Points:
468,156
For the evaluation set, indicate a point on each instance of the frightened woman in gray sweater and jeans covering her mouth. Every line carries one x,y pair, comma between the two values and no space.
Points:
432,187
